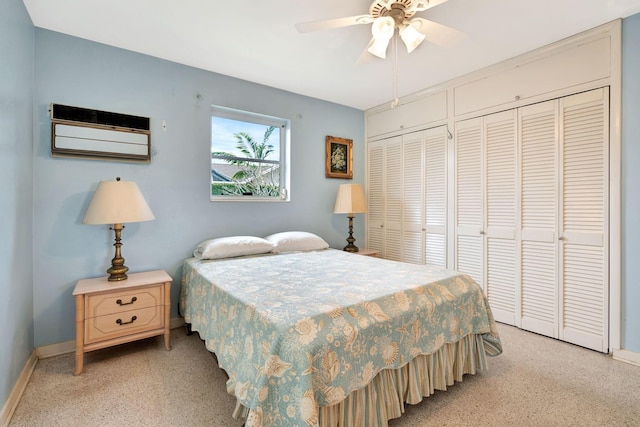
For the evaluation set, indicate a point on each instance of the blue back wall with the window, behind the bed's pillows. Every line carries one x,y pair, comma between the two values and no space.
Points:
81,73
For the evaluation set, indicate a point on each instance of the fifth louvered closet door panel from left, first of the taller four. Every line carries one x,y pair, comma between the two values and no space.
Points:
469,204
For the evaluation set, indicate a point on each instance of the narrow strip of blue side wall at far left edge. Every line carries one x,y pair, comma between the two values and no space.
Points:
16,194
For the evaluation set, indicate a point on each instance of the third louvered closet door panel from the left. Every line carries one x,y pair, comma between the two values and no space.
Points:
412,246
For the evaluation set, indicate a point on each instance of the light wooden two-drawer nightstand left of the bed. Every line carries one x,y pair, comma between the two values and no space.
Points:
112,313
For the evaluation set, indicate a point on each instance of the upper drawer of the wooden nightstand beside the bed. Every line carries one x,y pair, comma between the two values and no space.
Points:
113,303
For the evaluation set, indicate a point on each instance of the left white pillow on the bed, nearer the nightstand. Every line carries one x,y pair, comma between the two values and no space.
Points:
227,247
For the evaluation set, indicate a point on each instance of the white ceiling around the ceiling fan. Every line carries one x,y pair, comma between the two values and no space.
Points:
257,40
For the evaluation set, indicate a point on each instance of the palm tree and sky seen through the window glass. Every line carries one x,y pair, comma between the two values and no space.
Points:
245,158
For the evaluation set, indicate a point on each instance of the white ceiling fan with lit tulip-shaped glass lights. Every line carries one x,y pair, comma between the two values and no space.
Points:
387,16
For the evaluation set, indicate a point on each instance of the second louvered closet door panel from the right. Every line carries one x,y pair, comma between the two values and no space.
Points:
539,197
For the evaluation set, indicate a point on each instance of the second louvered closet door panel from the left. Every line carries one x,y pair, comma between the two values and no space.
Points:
393,194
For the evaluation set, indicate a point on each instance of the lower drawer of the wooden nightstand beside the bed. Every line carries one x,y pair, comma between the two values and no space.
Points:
118,324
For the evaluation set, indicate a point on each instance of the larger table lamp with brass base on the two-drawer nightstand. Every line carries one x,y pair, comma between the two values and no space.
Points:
117,202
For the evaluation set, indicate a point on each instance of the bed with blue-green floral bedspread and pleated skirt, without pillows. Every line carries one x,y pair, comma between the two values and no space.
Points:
328,338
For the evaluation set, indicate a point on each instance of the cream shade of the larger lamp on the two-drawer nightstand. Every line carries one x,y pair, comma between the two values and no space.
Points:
117,202
